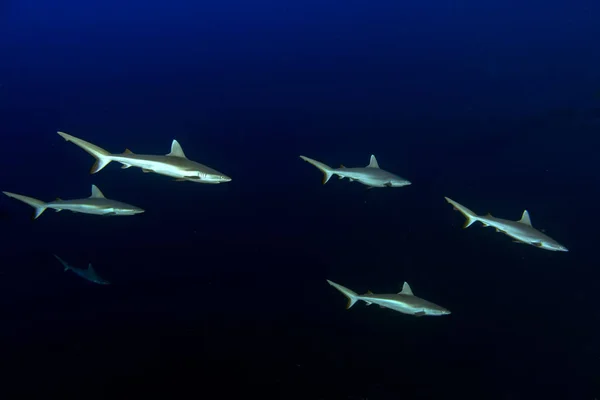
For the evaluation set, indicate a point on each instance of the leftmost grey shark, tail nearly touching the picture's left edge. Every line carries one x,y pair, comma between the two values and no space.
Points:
96,204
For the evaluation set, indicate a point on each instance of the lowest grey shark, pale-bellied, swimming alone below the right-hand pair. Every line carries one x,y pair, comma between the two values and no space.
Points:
404,301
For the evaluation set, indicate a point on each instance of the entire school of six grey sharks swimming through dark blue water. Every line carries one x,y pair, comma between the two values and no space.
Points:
175,164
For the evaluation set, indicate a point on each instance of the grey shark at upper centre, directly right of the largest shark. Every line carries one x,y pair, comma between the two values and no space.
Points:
371,175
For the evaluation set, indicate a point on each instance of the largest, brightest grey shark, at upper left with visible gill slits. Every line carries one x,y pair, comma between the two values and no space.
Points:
174,164
